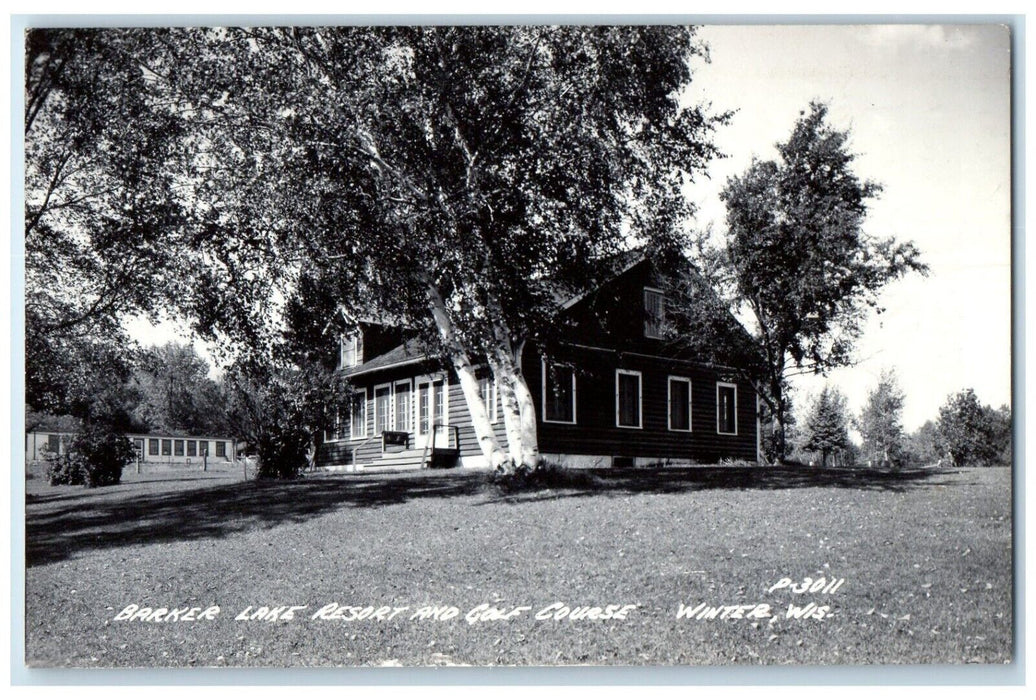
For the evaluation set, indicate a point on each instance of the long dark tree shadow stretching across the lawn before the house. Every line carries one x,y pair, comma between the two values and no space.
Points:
62,527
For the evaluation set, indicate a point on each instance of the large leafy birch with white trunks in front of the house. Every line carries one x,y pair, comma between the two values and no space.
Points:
447,179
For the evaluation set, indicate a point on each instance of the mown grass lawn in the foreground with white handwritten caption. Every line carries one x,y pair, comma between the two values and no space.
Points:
926,557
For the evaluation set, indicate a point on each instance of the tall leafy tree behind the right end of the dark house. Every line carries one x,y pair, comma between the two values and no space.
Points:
798,259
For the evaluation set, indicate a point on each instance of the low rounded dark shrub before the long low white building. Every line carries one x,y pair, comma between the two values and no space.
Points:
96,457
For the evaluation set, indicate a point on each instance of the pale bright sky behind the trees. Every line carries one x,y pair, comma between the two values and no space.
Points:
929,109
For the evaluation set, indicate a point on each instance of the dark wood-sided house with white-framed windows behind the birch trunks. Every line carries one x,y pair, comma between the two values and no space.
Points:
613,392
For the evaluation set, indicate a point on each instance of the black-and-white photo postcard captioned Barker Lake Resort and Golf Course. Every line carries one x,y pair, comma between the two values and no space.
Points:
526,344
